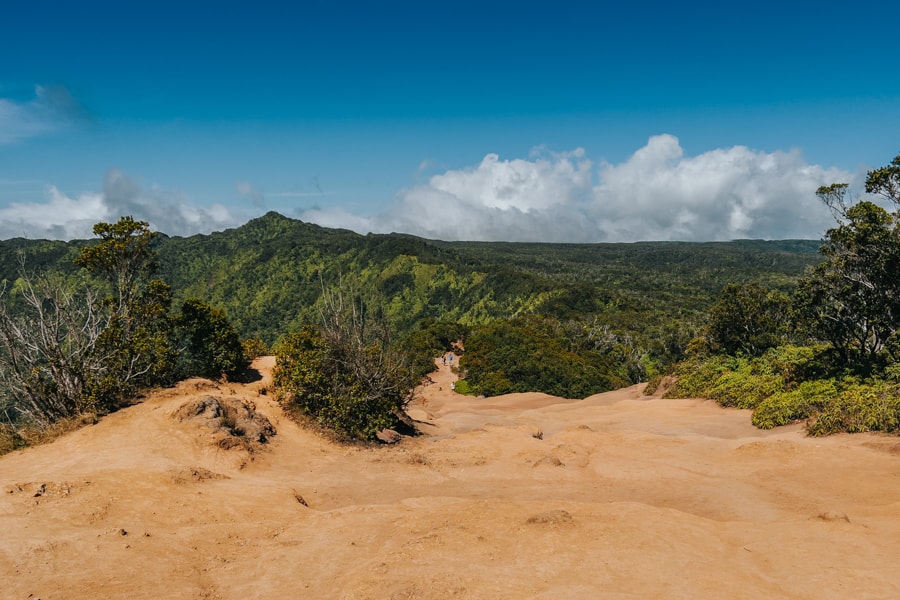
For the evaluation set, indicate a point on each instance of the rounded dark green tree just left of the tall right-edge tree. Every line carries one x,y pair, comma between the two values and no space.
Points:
747,319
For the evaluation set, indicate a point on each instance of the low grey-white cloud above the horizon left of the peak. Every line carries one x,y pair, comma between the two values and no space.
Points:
66,217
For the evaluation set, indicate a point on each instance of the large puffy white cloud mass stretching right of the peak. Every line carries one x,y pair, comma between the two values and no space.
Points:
657,194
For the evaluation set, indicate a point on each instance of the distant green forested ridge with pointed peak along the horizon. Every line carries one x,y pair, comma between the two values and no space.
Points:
269,274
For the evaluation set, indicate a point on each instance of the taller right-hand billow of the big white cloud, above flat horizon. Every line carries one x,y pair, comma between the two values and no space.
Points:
659,194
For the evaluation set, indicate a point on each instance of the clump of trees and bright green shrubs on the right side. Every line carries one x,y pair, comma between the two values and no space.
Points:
830,354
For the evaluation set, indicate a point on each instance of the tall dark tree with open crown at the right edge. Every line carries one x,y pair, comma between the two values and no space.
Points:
852,299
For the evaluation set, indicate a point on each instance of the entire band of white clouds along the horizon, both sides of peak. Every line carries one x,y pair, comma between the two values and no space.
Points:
658,193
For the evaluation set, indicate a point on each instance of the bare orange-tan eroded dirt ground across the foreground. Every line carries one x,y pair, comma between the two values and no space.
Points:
522,496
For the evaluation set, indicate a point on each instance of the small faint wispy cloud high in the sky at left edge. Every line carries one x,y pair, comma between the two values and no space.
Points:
53,108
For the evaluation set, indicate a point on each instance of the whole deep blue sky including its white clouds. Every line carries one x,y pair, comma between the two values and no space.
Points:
568,121
